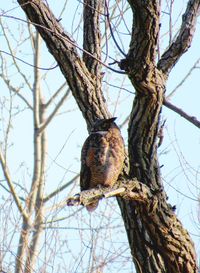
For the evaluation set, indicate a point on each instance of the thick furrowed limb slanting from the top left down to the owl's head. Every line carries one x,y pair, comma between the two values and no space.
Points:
83,85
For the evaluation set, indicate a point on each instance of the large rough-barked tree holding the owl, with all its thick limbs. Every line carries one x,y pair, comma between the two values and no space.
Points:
157,239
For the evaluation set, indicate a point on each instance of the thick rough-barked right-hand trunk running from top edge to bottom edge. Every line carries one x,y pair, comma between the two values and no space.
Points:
158,236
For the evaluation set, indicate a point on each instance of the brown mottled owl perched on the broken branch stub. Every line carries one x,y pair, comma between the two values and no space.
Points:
102,157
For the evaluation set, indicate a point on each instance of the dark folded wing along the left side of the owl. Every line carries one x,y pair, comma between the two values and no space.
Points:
85,174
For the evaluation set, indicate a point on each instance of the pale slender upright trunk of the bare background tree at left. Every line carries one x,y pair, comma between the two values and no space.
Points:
38,183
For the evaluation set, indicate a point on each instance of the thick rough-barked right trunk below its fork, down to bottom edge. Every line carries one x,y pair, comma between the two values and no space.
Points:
157,239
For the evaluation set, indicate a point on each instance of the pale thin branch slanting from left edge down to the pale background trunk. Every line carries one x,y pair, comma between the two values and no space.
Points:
11,186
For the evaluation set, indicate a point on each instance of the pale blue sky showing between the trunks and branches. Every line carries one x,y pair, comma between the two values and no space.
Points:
179,153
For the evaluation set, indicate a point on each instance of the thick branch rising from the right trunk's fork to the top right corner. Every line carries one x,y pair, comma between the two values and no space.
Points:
183,40
